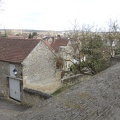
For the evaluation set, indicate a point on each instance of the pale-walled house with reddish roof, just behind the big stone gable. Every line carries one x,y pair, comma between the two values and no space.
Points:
62,47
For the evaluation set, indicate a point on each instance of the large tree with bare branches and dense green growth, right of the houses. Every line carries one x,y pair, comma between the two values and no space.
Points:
88,49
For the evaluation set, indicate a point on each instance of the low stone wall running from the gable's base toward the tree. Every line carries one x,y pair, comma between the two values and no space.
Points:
74,79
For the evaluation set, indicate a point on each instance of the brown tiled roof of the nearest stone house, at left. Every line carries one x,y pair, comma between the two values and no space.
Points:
16,50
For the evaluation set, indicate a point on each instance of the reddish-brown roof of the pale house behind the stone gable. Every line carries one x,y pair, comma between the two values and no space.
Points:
59,42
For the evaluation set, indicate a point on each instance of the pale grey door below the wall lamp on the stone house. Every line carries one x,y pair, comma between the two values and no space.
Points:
14,86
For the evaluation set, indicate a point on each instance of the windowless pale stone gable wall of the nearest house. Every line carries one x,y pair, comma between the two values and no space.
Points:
39,70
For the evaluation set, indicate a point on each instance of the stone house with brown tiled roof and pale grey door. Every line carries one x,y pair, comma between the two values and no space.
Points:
27,63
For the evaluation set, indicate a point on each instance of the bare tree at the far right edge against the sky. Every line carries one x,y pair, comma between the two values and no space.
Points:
112,37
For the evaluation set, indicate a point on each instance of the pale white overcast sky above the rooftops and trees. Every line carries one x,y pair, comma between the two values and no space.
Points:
57,14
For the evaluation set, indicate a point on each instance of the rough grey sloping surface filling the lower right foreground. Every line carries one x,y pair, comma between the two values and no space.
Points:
95,99
